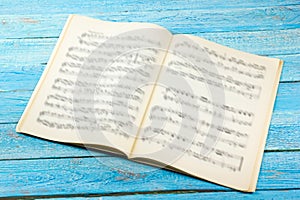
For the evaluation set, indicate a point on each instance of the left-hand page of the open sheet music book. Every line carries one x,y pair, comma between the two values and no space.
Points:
93,90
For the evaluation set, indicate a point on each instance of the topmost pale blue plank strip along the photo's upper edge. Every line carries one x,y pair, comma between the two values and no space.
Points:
94,6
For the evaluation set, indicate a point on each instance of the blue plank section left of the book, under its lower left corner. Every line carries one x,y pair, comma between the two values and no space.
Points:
19,146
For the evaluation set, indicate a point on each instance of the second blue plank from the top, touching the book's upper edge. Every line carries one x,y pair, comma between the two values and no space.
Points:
177,21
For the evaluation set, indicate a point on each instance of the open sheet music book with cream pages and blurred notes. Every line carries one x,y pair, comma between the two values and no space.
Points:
177,101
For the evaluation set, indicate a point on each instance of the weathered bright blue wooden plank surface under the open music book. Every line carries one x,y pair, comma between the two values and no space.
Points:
31,167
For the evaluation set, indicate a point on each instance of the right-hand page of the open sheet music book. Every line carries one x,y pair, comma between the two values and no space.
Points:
210,112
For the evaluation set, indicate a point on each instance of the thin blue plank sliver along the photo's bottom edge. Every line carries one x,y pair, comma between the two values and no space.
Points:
268,194
